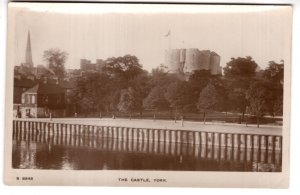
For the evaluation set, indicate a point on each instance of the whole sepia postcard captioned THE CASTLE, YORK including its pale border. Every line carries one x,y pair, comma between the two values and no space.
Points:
148,94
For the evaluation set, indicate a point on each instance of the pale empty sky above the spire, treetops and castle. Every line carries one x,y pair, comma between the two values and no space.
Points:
101,31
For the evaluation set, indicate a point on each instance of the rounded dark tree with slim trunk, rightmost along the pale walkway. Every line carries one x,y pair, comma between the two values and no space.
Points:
256,95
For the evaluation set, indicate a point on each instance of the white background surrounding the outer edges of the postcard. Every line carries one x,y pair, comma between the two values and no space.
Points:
295,144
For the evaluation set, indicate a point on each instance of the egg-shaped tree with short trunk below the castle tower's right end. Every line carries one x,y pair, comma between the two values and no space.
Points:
209,99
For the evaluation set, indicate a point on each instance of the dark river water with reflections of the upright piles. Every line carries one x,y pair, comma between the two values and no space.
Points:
89,153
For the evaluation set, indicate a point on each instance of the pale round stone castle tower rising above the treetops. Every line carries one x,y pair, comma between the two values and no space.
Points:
186,61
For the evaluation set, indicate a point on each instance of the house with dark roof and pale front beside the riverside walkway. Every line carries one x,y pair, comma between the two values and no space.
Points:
43,100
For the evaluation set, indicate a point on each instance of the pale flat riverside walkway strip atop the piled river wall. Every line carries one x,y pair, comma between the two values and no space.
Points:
218,127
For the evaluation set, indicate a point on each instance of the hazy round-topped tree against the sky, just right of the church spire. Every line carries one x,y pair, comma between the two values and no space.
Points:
55,59
